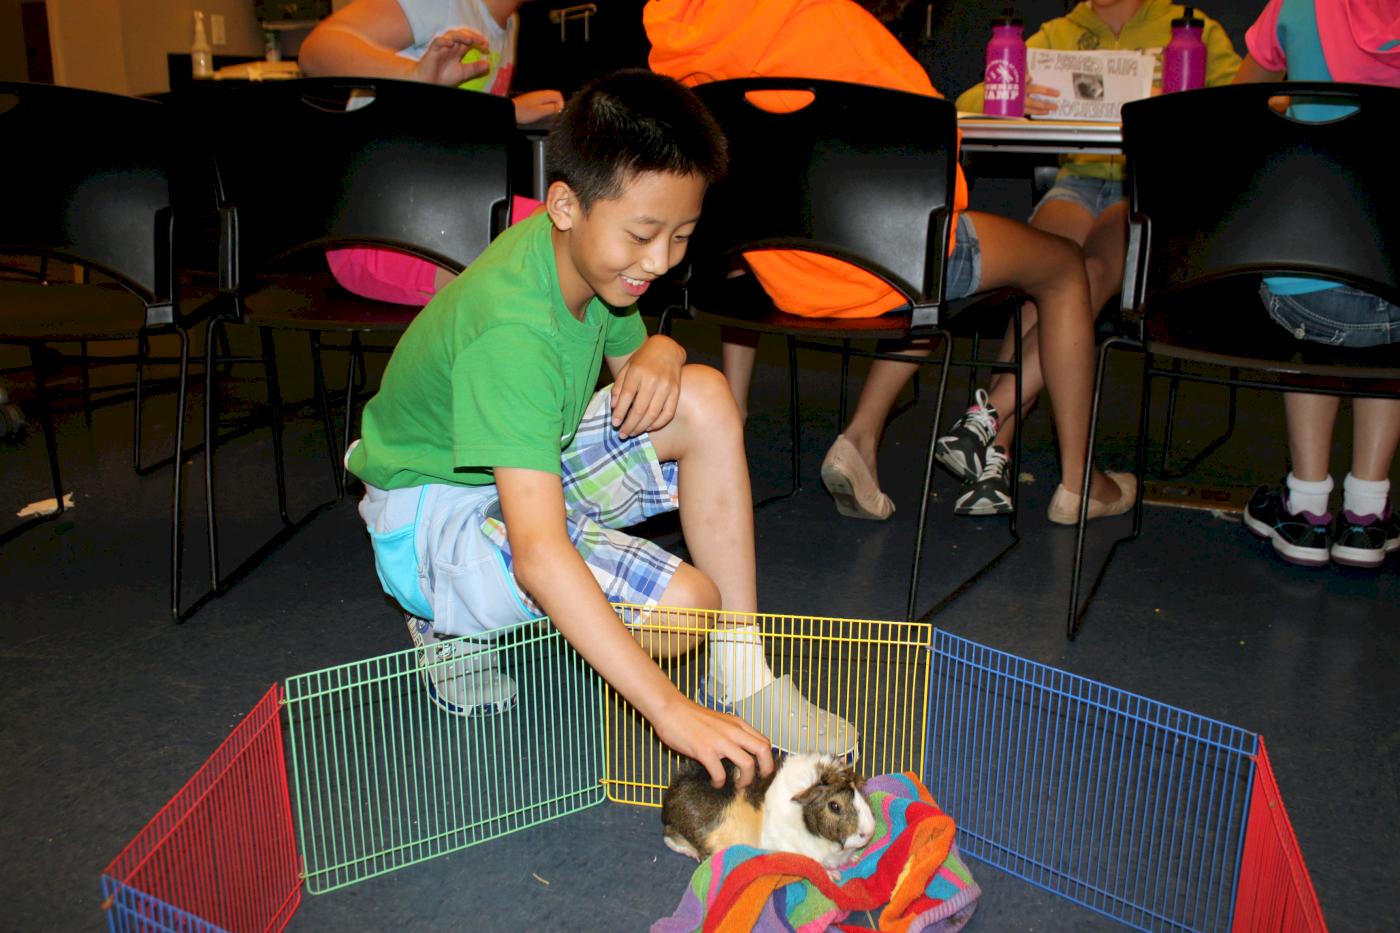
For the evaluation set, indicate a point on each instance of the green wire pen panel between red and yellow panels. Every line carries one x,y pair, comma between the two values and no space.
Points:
384,777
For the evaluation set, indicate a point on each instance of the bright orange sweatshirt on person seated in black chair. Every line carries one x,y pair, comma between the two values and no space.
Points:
828,40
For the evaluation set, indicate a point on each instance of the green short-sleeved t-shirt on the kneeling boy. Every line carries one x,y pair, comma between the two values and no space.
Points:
495,372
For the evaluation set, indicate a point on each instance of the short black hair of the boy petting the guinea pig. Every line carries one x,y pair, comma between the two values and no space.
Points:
631,123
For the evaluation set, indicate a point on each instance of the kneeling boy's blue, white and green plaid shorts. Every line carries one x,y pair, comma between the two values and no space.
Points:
464,568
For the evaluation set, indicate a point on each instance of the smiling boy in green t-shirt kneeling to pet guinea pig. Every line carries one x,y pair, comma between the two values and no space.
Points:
496,480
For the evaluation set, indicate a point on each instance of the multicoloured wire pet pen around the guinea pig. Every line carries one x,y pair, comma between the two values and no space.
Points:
1150,815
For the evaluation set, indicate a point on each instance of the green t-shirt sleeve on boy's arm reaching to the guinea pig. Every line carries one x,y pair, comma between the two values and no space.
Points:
507,403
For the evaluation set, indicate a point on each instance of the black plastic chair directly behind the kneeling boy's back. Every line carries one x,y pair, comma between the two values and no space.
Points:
419,169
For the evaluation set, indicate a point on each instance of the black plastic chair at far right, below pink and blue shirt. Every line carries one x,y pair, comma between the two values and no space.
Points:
1224,190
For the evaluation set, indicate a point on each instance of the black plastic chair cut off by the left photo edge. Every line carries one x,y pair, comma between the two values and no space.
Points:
87,180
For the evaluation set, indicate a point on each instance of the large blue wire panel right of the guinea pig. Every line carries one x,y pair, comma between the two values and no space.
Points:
1128,806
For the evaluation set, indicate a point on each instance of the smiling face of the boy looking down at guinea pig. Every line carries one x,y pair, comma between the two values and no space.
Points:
622,244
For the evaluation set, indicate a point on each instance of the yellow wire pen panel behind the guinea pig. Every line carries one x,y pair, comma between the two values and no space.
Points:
874,675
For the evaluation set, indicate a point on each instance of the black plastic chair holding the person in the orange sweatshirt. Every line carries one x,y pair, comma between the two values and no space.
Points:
862,174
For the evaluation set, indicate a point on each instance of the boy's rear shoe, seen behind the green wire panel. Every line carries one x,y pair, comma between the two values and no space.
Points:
461,675
